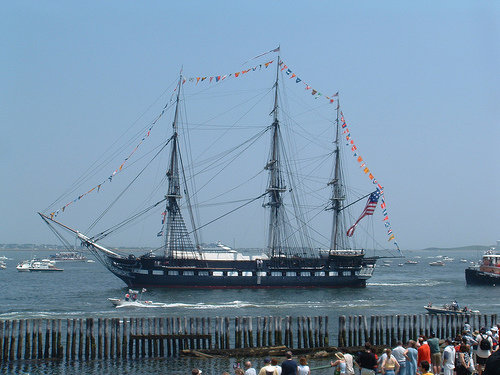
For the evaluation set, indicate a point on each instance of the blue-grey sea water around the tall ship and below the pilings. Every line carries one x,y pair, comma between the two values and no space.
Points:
83,288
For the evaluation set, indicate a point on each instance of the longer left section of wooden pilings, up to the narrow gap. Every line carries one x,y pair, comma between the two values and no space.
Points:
85,339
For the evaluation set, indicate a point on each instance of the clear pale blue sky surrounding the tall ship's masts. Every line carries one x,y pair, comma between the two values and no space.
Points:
419,83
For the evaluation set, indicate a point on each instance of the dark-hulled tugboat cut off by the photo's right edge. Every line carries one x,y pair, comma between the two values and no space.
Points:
487,272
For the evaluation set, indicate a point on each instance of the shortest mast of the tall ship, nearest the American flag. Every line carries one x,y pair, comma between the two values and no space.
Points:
338,195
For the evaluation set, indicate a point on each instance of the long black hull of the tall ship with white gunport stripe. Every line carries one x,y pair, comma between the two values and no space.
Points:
160,272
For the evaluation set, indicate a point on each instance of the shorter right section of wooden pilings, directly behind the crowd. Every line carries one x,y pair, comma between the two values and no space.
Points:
388,329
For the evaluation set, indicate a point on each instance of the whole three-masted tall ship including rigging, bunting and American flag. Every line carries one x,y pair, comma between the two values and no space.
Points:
289,259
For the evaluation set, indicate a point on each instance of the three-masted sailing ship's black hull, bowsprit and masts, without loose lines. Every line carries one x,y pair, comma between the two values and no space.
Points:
183,262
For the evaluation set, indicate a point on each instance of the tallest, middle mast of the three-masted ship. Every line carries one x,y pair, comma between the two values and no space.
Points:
276,184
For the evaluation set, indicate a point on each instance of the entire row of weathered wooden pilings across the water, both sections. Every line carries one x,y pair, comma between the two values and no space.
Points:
104,338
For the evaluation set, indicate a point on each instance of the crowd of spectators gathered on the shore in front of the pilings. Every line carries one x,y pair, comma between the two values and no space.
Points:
470,353
